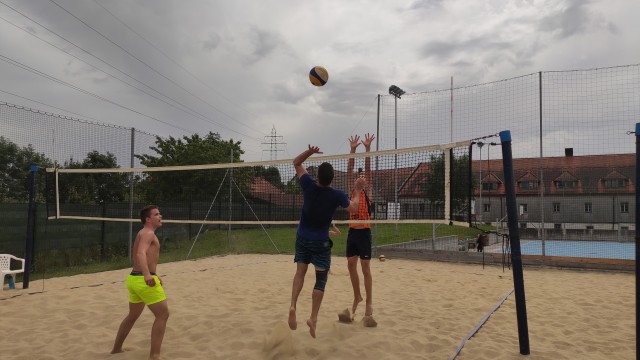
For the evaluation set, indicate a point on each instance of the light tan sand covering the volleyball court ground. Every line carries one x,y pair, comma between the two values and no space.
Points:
236,307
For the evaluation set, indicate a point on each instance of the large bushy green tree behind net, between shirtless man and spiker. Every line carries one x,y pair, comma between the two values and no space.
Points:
191,184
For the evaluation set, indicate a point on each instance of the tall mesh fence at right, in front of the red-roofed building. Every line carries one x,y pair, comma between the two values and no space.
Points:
573,152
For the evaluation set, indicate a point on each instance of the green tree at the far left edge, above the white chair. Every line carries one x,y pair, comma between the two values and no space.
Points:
15,168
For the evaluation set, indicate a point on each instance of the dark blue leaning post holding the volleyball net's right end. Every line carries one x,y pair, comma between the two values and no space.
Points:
514,237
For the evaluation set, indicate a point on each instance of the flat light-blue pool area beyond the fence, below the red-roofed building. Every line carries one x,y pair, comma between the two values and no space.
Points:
576,248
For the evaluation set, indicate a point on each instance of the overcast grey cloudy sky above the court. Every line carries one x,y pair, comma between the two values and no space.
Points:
240,68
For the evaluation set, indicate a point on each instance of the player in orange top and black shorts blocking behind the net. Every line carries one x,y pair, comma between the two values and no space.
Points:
359,236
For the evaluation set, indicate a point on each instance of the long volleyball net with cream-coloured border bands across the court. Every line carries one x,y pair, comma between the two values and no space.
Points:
428,184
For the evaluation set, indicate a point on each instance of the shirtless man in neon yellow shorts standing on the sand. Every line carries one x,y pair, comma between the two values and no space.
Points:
145,287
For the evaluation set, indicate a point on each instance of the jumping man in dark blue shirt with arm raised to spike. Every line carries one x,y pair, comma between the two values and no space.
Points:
313,244
